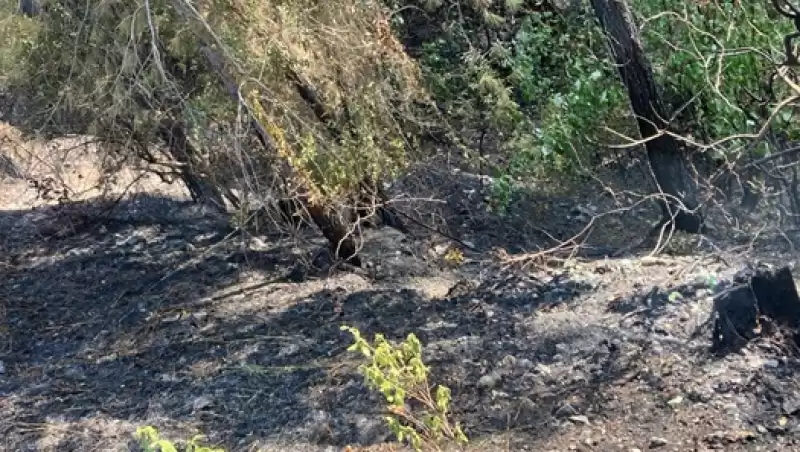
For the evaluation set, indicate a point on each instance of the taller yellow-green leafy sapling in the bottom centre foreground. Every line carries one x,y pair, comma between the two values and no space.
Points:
399,374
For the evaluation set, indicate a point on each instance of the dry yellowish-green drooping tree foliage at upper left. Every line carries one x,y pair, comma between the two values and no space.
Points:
117,69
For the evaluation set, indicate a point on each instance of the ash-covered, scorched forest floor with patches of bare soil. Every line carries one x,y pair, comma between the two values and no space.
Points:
160,316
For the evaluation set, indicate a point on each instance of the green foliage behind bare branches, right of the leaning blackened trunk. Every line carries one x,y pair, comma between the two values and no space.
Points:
721,52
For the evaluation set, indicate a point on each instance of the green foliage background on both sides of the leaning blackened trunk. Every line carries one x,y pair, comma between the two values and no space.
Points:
543,84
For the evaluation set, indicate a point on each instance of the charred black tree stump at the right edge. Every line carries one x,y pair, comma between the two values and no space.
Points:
762,296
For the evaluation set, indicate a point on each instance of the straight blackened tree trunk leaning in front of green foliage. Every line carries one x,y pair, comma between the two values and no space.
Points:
679,204
